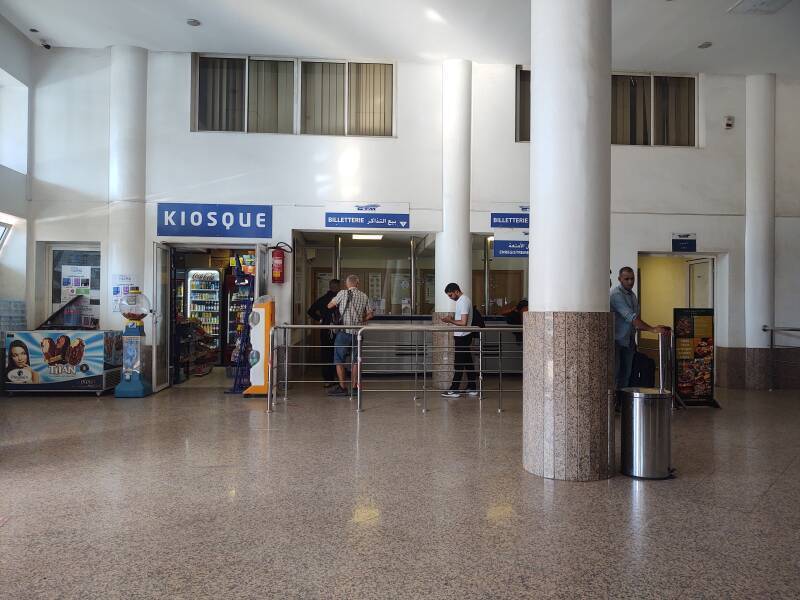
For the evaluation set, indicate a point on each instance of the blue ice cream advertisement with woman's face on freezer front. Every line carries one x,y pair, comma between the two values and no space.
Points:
71,359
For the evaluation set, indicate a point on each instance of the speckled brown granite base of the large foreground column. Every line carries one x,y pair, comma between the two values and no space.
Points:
567,389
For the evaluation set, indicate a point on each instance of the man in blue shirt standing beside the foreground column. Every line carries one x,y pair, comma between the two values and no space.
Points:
627,321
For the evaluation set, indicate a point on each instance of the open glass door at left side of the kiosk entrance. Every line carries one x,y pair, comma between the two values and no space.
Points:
161,313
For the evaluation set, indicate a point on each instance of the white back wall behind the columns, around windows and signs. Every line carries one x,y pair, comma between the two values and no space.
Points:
655,191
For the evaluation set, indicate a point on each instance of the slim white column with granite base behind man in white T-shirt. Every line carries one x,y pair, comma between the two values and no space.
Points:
453,258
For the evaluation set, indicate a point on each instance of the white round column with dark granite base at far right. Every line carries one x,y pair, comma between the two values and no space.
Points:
759,237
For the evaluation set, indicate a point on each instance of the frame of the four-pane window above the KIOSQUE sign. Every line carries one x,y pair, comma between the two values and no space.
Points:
297,95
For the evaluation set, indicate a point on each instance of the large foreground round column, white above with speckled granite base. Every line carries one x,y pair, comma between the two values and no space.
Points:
569,330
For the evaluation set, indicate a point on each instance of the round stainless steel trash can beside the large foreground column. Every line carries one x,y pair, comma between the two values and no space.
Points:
646,432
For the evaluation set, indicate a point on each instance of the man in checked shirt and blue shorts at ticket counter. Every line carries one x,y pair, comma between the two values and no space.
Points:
355,309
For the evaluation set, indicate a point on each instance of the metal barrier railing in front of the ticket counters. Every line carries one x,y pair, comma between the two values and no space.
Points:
413,358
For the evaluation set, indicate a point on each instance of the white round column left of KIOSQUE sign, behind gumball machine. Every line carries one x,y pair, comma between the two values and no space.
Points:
126,168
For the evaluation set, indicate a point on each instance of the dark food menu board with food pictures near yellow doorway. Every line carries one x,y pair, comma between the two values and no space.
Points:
694,353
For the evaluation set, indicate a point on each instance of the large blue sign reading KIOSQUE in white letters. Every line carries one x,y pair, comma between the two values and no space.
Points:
214,220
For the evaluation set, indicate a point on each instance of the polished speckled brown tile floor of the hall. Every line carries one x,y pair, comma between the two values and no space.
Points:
197,494
